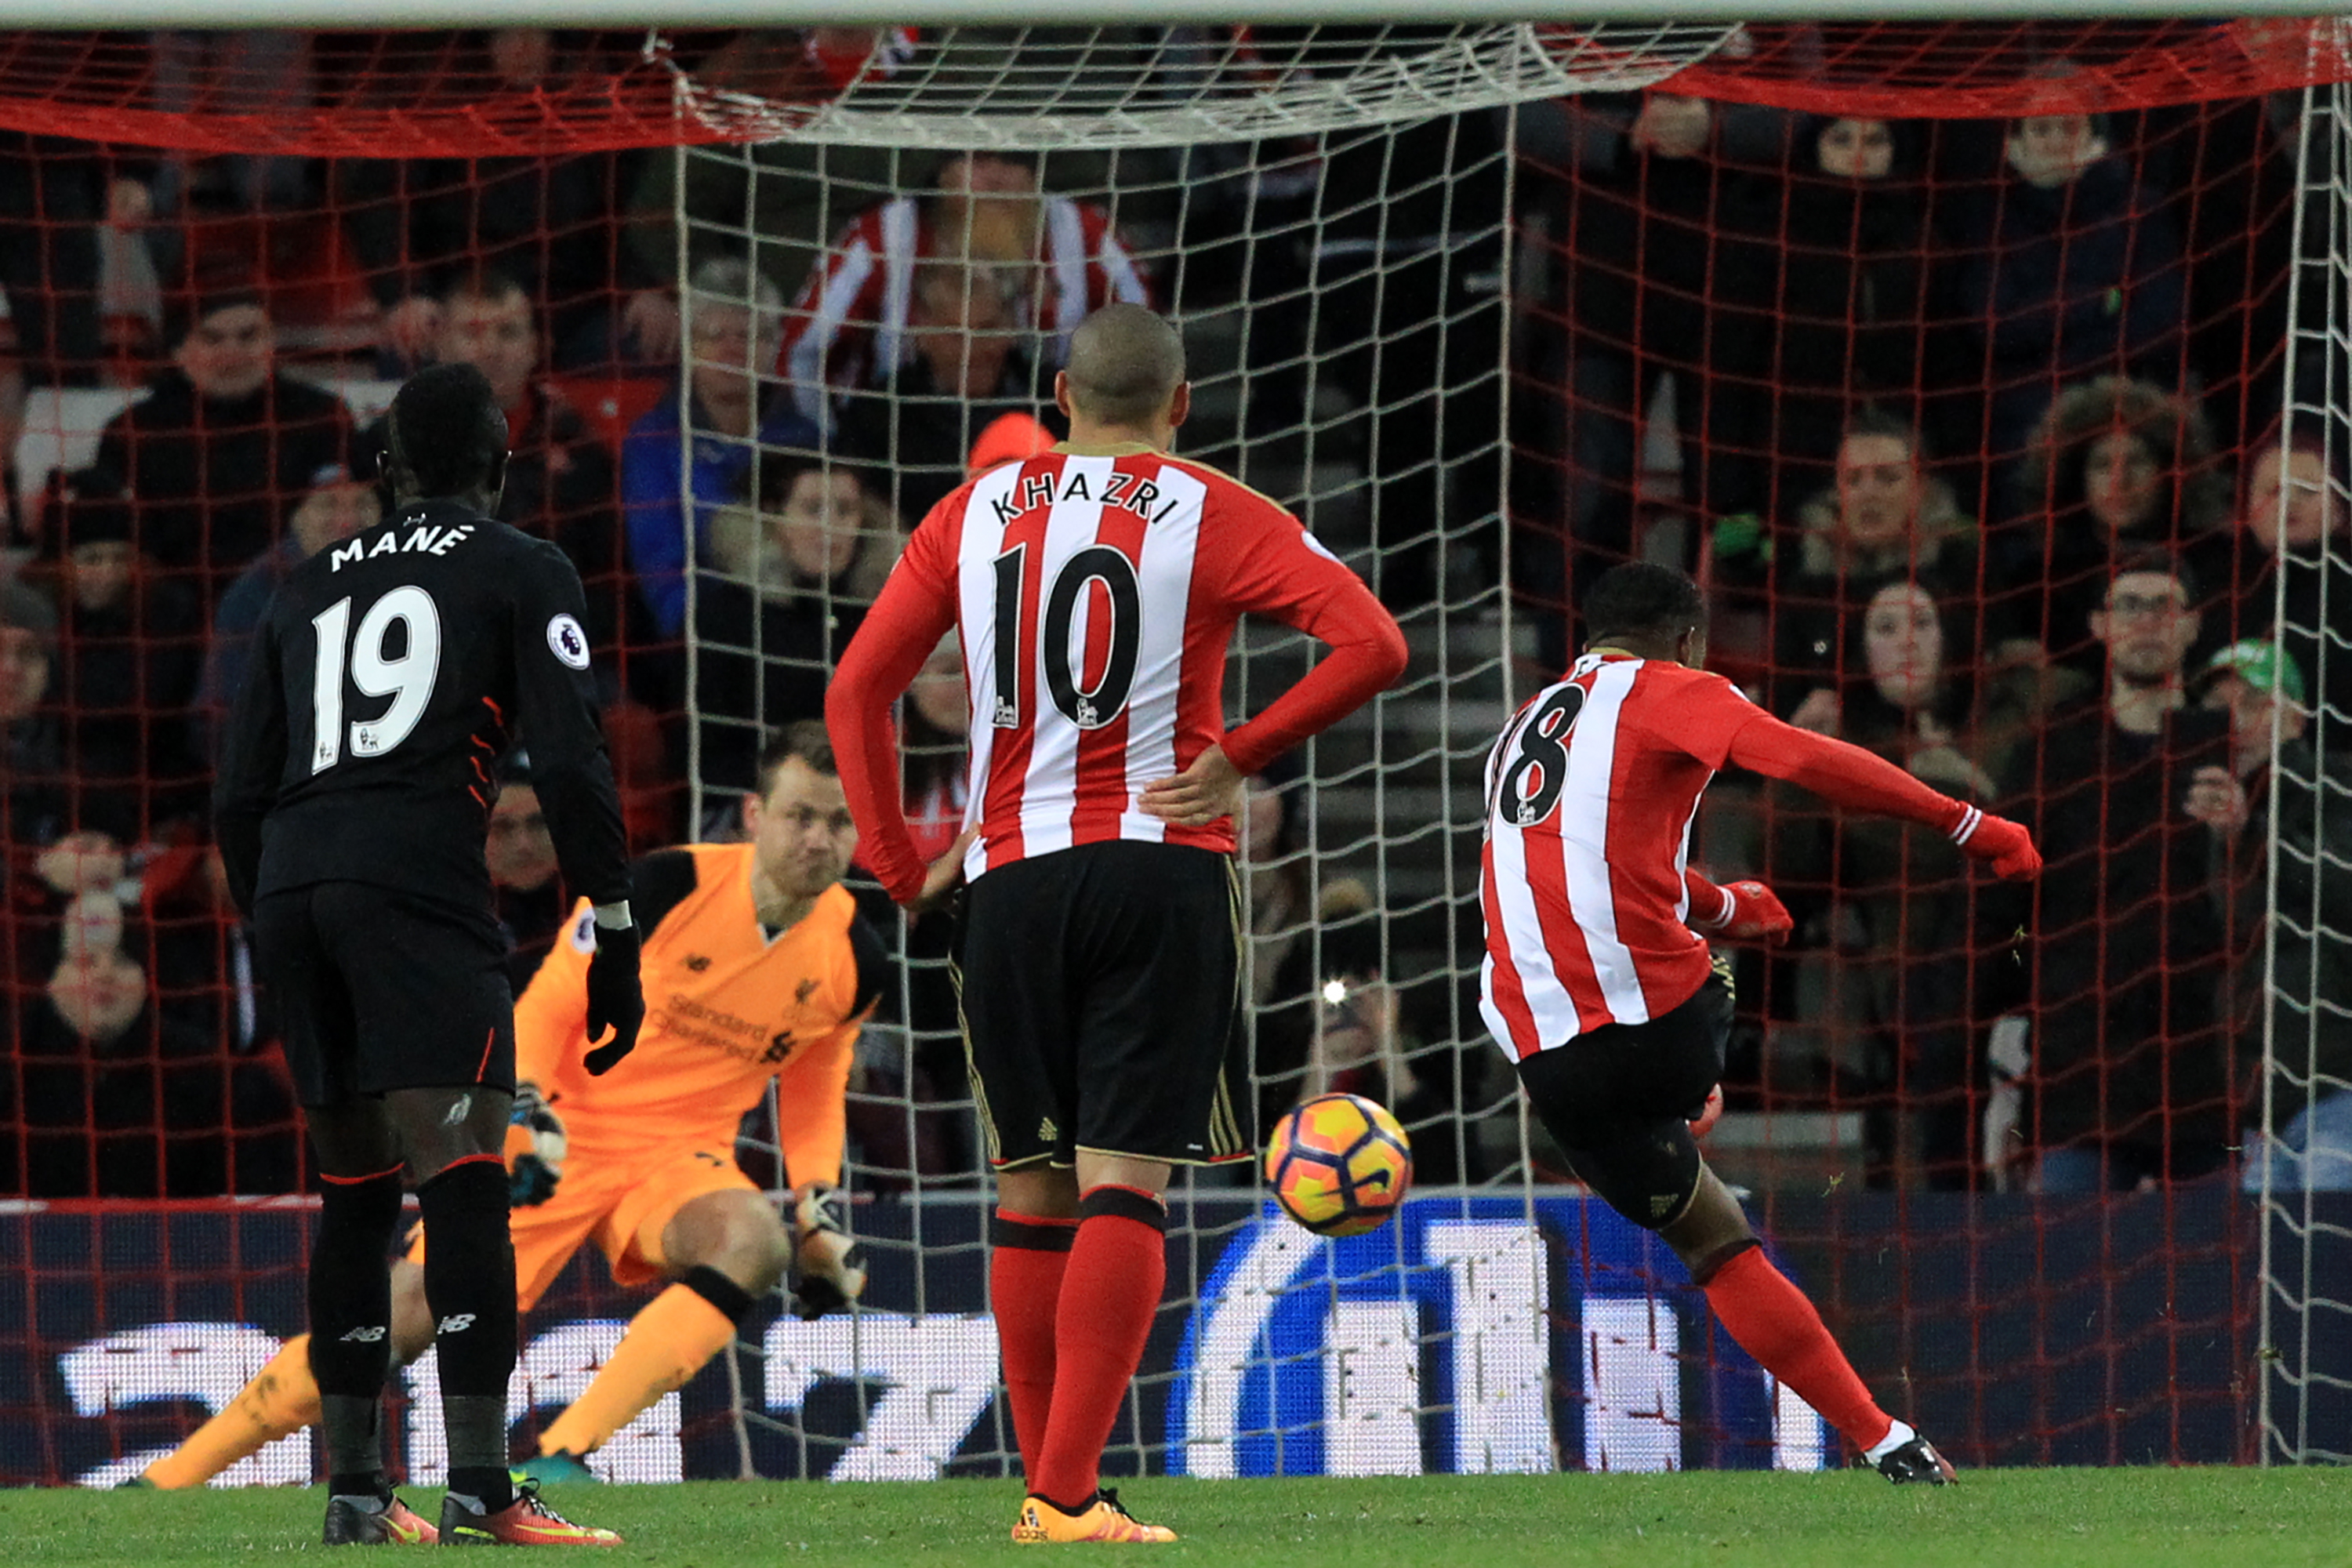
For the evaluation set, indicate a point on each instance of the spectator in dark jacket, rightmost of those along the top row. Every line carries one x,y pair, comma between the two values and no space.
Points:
2078,272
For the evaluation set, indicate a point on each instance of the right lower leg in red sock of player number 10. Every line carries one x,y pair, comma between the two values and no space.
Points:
1109,1299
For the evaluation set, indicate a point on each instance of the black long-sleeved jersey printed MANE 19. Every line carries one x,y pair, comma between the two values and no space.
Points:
387,681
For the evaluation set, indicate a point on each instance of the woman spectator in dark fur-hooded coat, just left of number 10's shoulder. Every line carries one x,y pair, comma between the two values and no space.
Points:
789,587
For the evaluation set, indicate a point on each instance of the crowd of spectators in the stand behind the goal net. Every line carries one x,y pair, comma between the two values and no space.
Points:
1979,455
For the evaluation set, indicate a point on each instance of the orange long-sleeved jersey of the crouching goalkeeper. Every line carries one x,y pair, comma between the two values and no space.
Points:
728,1007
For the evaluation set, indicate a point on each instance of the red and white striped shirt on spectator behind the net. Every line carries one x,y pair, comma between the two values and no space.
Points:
850,323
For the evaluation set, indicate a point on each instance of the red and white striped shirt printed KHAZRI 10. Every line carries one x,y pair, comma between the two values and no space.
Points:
1095,594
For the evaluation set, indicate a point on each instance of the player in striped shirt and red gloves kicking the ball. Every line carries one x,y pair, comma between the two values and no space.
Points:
1608,998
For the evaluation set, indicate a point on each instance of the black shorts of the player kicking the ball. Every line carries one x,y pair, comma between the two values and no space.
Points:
1619,1101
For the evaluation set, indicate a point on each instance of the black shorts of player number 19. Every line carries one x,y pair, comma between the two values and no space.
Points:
385,991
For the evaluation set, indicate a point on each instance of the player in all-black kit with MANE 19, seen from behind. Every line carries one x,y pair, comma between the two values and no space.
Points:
354,803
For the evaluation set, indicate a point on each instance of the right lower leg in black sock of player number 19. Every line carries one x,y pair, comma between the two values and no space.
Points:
472,1292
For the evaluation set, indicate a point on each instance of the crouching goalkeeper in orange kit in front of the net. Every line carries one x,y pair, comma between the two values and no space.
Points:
756,967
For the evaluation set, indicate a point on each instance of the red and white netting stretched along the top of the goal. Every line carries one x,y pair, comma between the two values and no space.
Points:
453,95
